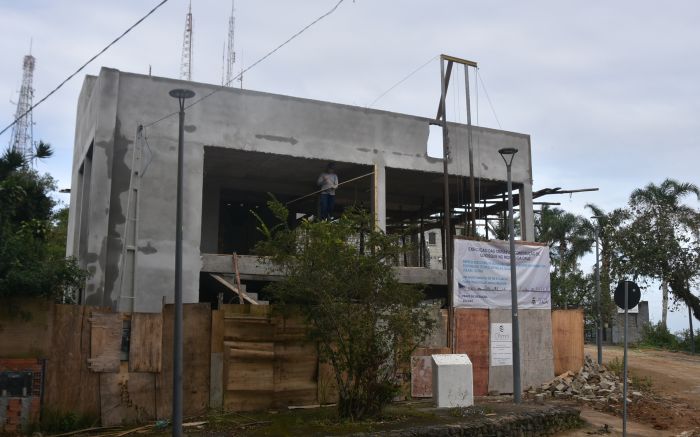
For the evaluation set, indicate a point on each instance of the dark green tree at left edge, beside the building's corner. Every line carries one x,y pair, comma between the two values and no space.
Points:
29,264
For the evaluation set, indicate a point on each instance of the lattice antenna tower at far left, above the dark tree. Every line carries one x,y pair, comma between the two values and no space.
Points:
21,139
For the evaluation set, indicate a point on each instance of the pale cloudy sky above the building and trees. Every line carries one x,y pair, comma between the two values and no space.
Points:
608,91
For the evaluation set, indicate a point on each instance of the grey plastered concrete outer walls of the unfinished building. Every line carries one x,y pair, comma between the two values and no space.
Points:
113,105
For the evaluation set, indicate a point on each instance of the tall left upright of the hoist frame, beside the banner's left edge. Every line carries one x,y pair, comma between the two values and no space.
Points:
447,237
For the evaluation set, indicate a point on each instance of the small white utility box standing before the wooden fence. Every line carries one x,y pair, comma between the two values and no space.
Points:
453,380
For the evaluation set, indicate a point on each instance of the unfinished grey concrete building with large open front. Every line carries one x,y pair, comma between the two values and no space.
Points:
241,145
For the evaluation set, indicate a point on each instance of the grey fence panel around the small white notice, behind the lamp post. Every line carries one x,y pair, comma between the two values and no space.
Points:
536,354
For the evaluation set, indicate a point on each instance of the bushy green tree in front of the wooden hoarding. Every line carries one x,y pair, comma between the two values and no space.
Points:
339,276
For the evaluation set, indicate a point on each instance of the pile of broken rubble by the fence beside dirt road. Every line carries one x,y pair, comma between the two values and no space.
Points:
592,384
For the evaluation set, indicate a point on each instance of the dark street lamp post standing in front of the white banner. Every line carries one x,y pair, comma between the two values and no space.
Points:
509,152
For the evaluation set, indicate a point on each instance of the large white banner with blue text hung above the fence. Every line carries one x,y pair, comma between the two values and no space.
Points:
481,275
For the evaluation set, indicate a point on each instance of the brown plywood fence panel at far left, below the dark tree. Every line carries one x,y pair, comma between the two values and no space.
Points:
25,328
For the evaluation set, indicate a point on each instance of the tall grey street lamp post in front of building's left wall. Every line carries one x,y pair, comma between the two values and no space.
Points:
181,95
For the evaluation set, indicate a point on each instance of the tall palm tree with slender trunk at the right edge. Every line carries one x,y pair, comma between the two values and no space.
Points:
659,208
